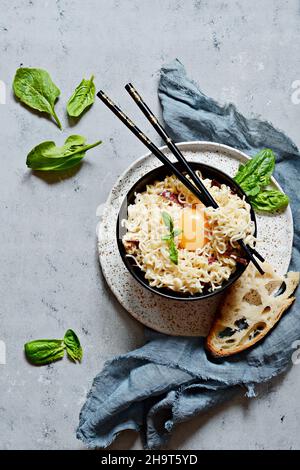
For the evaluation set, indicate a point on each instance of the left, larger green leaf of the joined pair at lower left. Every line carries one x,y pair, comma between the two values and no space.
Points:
44,351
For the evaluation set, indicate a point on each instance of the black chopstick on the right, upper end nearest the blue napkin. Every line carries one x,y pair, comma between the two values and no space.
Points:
179,156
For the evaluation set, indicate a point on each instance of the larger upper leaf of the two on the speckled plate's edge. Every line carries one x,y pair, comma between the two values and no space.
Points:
256,173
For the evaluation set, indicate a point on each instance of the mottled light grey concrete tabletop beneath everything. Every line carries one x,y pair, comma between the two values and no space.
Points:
246,52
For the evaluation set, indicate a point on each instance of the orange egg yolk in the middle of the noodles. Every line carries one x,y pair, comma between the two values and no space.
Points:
192,224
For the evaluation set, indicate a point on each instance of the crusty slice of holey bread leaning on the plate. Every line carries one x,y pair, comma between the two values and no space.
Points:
251,308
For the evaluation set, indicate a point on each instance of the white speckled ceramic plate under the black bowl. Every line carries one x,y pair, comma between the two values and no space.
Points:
174,317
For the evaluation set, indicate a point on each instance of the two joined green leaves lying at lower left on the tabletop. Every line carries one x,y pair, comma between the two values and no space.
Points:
44,351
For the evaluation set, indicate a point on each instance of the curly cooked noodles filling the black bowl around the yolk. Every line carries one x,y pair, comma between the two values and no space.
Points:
206,267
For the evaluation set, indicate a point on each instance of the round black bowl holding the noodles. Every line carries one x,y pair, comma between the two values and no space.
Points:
158,174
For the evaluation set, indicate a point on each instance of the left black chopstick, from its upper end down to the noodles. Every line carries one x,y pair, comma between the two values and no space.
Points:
150,145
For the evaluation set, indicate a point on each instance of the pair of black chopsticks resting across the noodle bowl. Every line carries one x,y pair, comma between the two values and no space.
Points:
200,191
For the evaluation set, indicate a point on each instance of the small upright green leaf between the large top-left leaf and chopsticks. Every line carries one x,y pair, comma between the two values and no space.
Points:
83,96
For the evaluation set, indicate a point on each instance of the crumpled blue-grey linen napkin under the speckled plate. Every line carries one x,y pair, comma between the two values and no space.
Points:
171,379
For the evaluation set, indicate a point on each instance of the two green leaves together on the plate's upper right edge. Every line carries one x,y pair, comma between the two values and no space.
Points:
254,176
